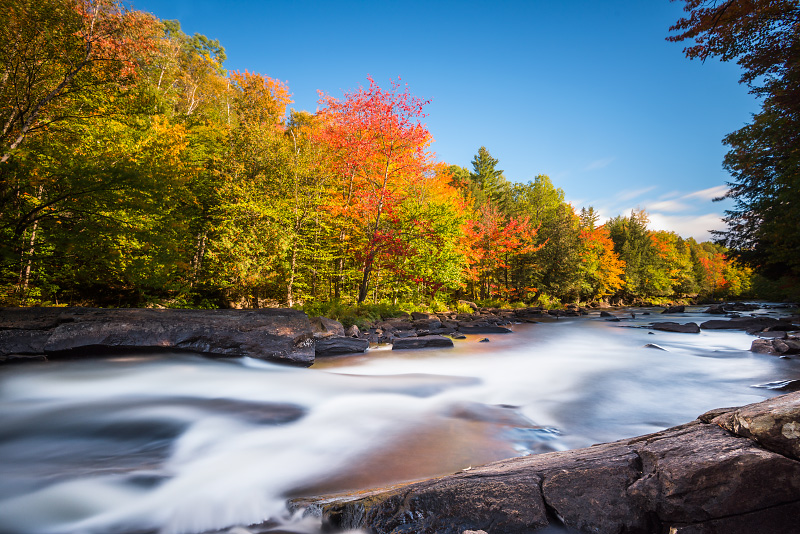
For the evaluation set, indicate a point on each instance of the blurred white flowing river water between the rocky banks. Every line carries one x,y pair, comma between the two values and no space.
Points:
183,444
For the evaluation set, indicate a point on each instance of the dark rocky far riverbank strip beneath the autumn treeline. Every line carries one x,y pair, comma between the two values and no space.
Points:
288,336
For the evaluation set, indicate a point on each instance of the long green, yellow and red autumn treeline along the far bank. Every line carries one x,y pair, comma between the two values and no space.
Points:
136,170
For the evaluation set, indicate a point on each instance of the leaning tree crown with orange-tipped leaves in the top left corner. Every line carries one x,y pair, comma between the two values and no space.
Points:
56,50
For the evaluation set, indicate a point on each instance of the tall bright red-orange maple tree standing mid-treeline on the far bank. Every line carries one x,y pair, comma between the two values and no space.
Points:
380,148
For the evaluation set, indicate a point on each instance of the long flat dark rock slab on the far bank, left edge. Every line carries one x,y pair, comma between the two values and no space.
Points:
278,335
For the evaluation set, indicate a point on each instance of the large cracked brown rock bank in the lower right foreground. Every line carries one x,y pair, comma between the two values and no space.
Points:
733,470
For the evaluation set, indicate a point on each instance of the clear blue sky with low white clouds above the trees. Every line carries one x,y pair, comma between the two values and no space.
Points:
587,92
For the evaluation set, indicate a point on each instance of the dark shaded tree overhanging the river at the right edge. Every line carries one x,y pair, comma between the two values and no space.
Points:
763,36
